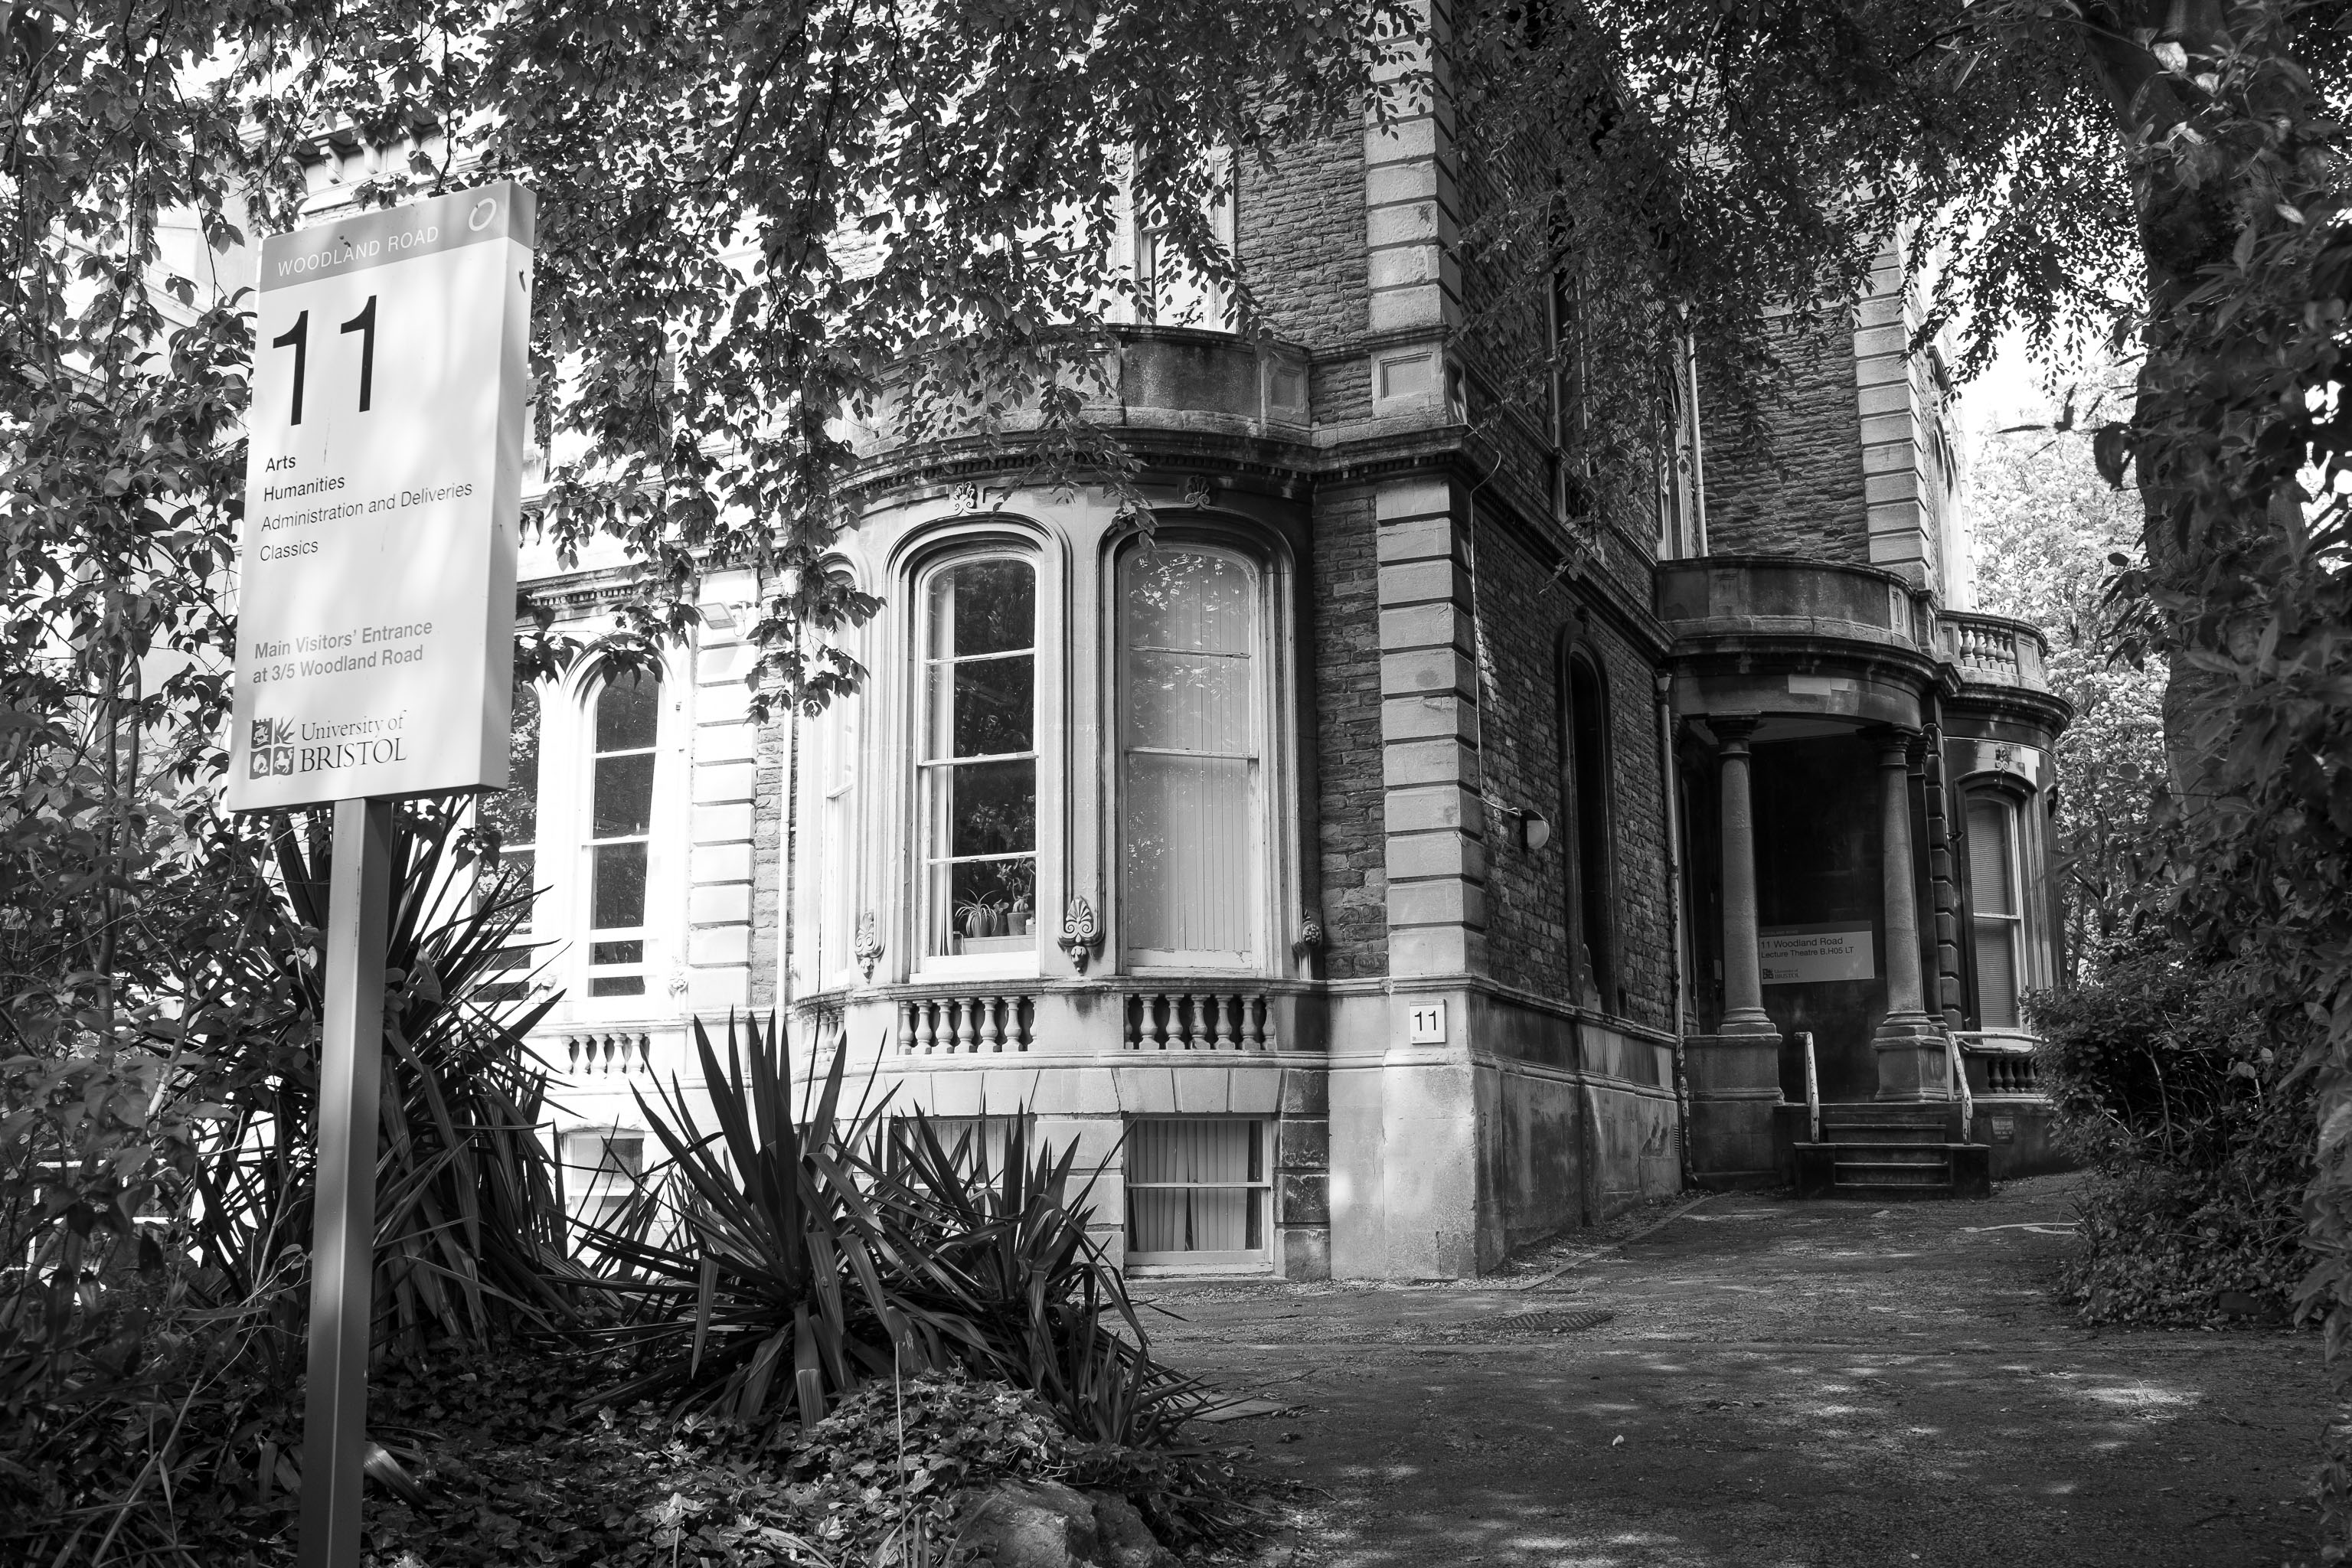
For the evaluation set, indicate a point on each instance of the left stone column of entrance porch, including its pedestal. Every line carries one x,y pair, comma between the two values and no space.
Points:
1737,1076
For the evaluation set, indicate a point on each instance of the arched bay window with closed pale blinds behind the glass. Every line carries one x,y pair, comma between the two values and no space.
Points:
1191,756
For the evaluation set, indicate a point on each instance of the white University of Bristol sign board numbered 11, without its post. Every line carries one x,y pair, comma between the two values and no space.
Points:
377,568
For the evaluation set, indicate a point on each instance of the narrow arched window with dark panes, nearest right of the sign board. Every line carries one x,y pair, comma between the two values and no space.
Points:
624,728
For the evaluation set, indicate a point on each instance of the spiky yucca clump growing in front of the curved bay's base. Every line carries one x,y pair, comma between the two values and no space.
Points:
784,1259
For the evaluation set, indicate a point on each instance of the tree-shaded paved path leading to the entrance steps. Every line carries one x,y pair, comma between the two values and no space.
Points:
1782,1386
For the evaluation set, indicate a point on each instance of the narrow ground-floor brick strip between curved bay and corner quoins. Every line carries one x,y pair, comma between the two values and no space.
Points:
1344,662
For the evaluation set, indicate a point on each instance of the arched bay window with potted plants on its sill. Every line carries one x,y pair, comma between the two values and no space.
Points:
980,760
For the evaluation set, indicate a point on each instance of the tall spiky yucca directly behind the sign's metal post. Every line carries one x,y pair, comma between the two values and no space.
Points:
469,1233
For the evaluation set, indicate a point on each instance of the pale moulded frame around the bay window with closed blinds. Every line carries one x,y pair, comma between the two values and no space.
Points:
1276,739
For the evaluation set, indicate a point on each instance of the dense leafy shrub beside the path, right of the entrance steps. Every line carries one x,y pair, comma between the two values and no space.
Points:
2179,1083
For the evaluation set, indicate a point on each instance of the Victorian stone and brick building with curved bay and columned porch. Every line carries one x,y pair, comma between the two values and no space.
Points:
1375,864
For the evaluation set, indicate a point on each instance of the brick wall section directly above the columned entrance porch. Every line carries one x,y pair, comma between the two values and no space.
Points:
1805,495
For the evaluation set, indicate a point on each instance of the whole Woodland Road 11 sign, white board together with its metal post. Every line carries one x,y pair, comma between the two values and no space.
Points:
375,655
